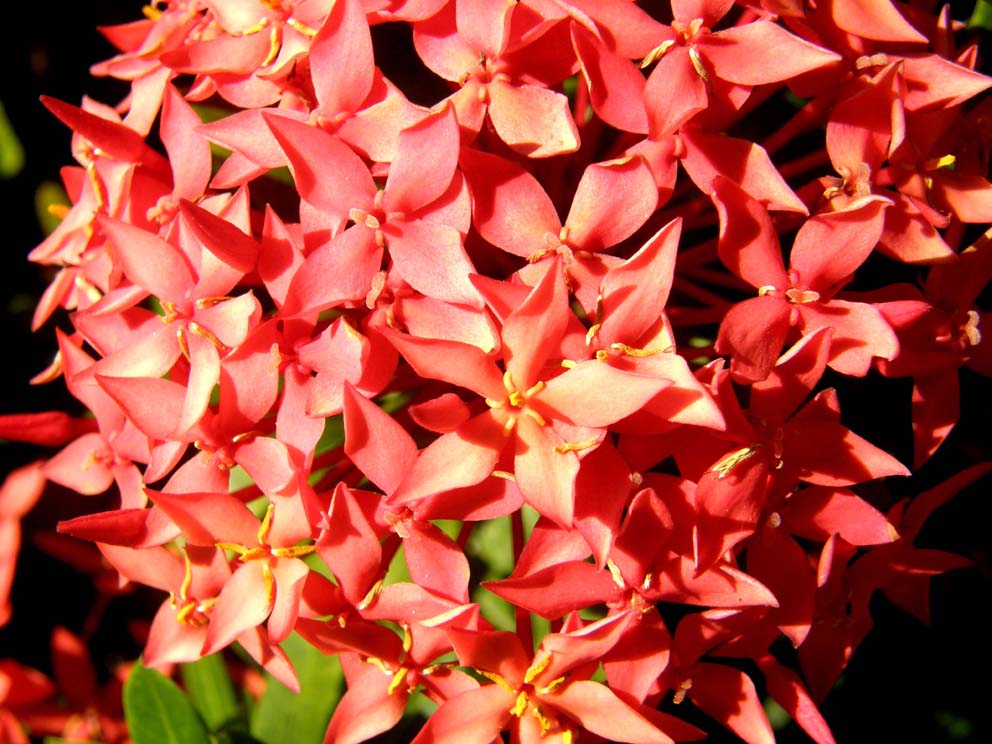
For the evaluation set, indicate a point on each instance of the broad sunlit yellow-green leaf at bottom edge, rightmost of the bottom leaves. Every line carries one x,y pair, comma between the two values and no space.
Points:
284,716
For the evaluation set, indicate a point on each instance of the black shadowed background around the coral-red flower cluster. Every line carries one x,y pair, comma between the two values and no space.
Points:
908,682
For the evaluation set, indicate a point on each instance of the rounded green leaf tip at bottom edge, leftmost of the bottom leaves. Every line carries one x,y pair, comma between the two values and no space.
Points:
157,711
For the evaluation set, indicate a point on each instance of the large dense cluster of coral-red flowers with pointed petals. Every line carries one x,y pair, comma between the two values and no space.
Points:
323,330
